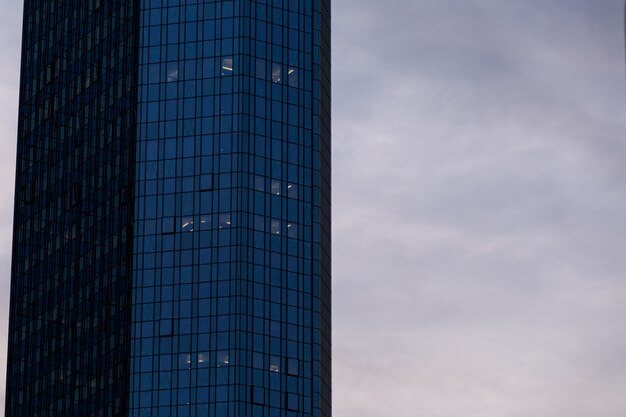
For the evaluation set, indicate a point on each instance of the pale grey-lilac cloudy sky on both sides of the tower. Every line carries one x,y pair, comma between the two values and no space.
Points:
479,206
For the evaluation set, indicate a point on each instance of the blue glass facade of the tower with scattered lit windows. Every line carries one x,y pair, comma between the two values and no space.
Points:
231,300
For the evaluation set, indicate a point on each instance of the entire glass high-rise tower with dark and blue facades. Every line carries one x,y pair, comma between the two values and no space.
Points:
171,245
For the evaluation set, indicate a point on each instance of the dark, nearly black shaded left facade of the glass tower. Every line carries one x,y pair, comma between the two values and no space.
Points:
69,333
